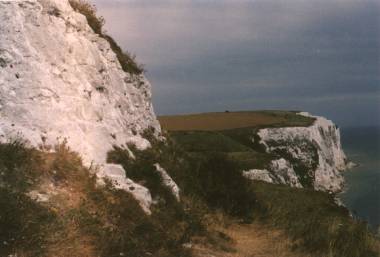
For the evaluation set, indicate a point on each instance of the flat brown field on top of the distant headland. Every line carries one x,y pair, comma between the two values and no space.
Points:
233,120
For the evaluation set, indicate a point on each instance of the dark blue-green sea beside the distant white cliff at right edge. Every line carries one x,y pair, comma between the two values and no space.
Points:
362,193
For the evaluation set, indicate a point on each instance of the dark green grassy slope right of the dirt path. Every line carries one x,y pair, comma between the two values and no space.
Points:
314,221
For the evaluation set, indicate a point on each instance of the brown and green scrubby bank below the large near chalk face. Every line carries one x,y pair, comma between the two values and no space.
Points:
79,214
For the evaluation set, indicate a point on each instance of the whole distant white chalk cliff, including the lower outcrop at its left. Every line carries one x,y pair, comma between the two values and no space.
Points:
316,148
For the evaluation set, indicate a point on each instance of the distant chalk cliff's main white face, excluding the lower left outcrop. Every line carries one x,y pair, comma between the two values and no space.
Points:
323,136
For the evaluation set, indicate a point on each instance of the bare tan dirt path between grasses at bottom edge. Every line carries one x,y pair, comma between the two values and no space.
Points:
252,240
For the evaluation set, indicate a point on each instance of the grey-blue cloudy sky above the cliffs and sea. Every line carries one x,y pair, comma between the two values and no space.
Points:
321,56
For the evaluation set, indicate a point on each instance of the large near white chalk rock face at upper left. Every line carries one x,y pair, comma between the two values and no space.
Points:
59,80
